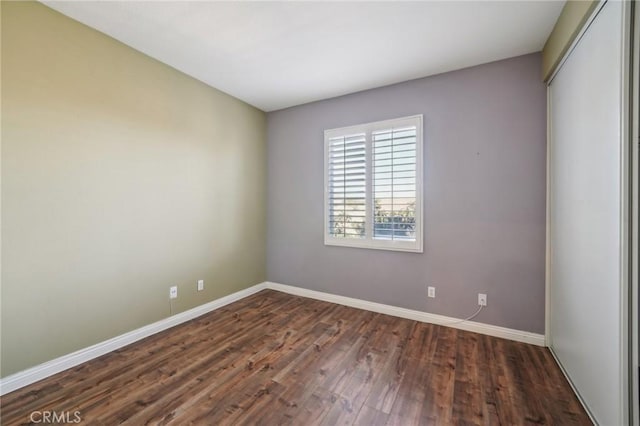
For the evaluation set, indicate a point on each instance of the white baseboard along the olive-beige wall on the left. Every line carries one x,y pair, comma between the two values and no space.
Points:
49,368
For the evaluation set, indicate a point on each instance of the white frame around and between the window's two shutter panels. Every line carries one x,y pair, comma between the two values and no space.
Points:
368,241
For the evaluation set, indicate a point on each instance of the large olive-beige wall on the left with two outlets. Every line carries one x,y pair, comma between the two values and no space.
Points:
120,177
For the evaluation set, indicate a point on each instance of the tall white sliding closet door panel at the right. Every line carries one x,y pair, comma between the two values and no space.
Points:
585,195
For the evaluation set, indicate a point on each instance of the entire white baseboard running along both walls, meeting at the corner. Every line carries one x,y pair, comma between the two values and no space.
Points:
42,371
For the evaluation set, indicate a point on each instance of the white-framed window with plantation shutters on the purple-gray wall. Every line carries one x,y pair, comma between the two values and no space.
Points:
373,185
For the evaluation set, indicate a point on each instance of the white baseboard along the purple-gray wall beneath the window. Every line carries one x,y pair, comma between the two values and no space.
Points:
477,327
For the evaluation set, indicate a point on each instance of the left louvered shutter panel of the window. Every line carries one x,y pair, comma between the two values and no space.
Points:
347,186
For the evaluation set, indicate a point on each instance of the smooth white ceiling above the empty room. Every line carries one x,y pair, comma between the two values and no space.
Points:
275,55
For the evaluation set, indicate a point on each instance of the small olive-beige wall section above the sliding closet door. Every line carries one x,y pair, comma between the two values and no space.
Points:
574,15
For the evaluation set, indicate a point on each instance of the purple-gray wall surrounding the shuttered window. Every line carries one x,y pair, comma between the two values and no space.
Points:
485,133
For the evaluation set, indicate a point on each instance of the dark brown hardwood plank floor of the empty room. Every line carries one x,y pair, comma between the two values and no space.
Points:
273,358
